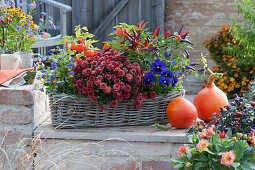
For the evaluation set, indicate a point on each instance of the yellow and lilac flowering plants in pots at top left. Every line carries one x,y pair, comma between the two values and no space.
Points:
18,31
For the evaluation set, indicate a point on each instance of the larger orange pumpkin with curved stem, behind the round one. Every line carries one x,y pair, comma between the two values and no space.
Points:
210,99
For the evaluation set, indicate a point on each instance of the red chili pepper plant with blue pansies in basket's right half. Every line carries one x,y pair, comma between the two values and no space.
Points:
155,53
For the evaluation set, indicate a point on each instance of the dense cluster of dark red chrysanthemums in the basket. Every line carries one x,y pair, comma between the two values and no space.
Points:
109,78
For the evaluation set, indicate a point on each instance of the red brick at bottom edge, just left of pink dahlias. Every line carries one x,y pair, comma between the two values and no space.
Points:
157,165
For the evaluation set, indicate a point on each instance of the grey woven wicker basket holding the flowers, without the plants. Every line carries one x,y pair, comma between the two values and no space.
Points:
72,112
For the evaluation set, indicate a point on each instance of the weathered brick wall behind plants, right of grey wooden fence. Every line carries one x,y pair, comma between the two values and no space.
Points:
202,17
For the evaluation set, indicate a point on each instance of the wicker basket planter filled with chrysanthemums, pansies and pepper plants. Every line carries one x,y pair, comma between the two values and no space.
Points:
132,72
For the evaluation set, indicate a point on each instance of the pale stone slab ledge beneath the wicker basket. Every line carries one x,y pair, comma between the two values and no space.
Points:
127,133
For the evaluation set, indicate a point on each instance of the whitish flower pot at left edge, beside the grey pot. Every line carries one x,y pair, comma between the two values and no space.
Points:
10,61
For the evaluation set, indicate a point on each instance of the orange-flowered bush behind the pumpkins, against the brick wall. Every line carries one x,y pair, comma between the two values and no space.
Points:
237,75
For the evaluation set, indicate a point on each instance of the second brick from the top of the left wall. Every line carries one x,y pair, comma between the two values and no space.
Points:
16,116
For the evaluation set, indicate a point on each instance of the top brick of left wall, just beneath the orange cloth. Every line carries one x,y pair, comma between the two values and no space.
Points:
15,97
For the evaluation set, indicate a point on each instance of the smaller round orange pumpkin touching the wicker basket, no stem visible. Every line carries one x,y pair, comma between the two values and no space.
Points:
181,113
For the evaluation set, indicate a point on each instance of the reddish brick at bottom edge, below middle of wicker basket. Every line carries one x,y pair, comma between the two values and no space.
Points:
124,166
